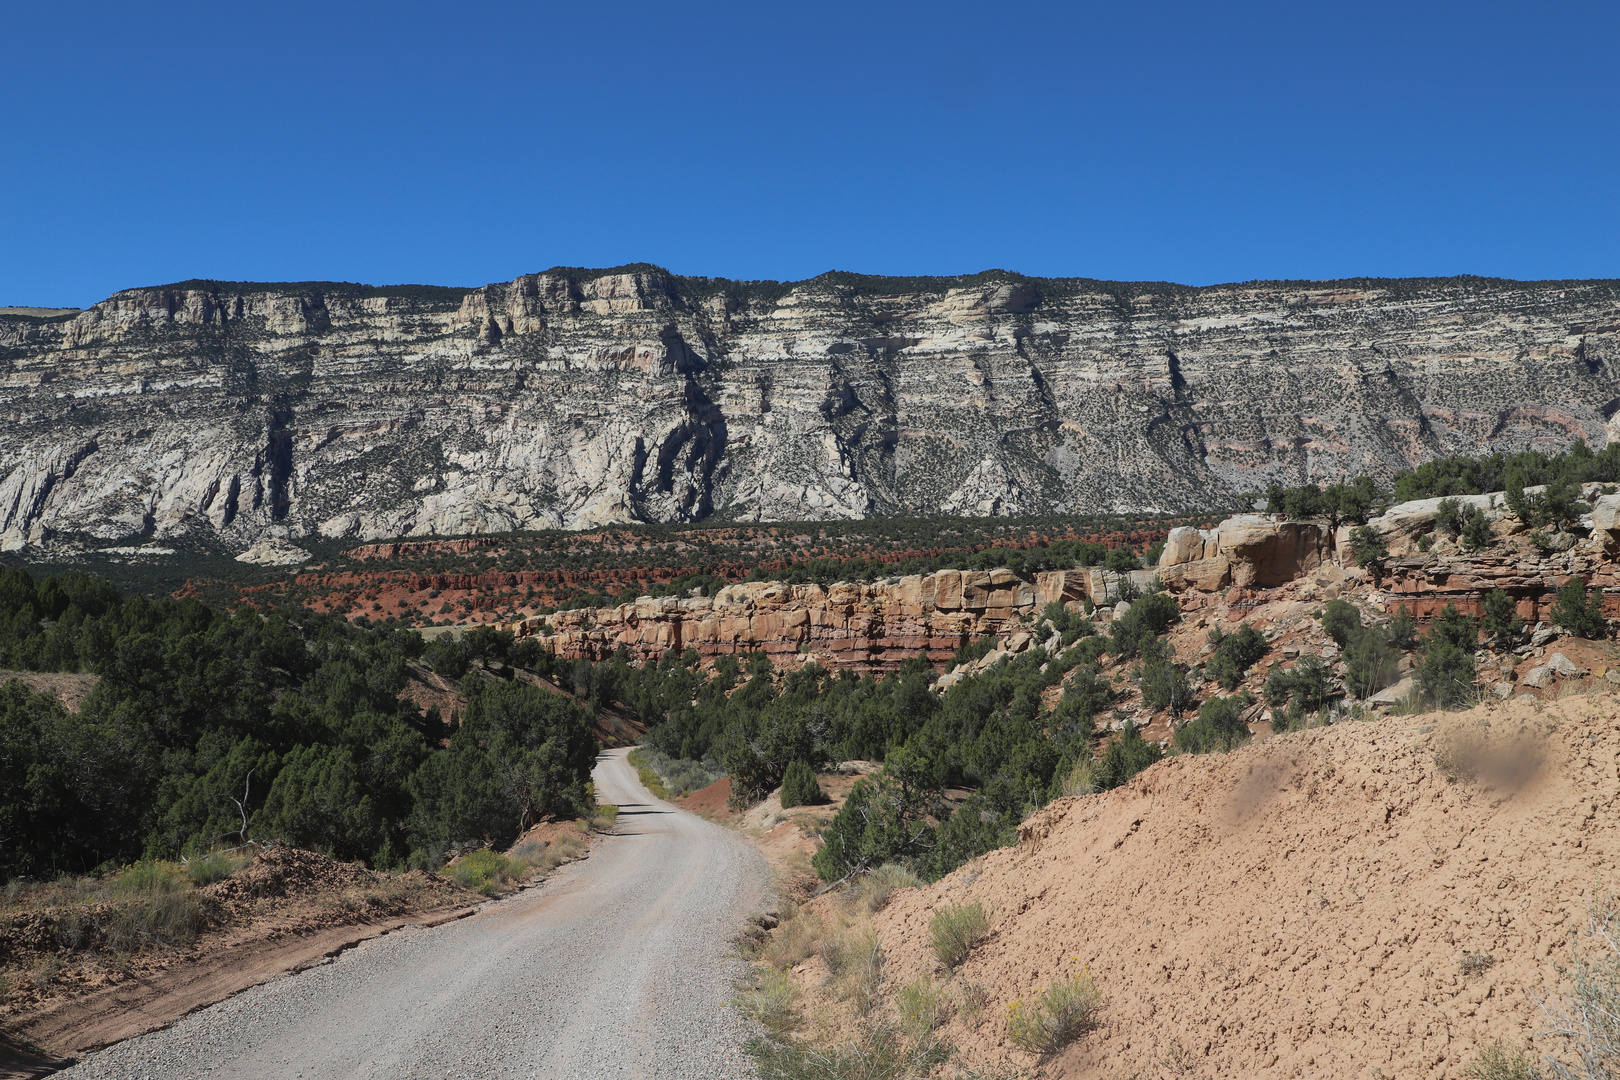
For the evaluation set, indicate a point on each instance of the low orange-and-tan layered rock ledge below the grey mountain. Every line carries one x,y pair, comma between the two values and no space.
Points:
1247,559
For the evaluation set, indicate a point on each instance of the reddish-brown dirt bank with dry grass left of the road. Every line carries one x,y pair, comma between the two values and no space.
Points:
77,977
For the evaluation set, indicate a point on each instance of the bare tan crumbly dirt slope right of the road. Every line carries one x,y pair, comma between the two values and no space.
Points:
1300,908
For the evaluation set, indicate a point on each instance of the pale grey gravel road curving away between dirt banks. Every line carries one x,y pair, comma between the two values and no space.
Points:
620,966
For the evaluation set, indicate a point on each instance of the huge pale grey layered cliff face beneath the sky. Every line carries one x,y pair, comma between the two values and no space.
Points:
573,399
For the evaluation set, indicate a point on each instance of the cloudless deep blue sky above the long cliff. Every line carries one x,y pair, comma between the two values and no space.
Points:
459,145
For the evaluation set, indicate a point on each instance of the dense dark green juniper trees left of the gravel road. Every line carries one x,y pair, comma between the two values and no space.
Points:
210,728
